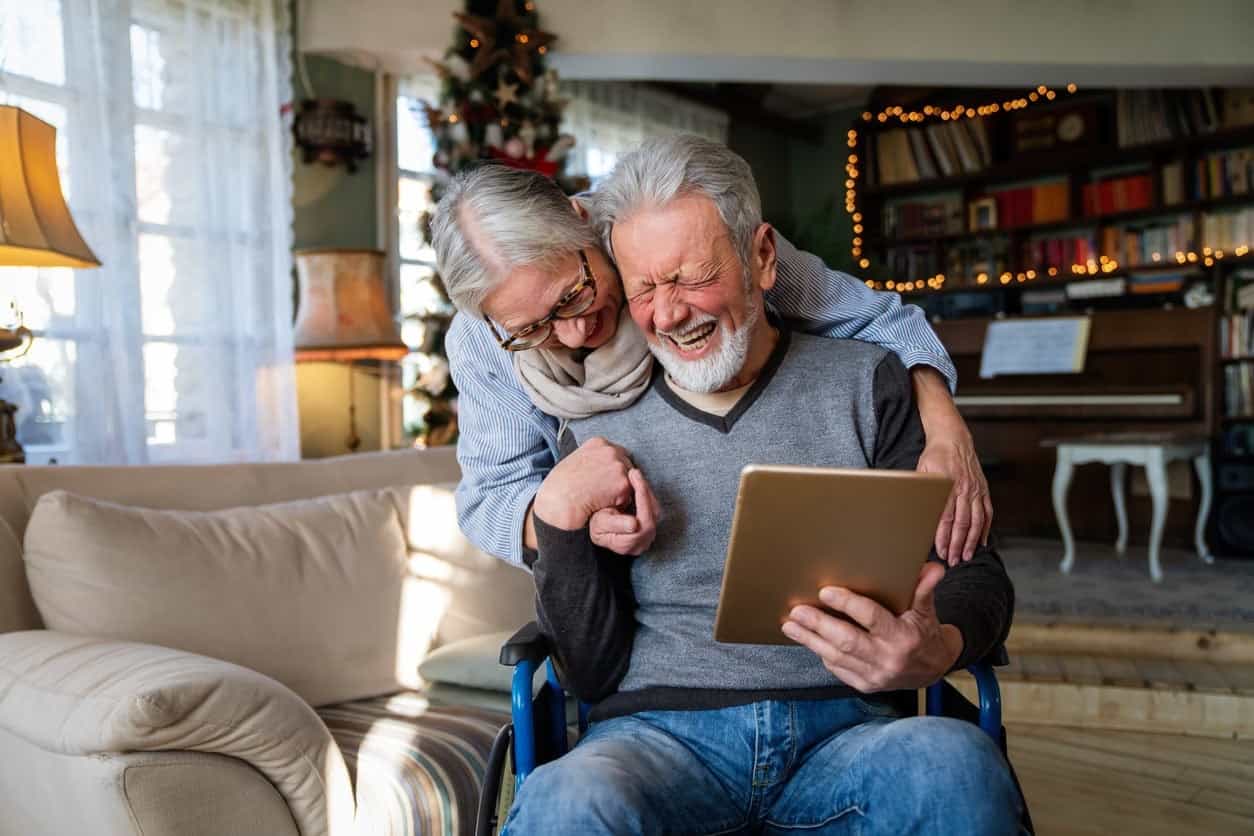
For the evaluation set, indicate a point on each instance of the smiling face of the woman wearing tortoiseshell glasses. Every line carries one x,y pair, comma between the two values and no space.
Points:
530,294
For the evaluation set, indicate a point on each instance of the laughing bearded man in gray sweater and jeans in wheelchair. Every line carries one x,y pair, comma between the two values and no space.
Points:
692,736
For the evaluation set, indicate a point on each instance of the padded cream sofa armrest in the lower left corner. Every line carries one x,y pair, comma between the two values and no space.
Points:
77,695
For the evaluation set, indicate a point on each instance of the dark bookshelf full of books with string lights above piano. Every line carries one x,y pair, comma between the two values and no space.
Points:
1137,179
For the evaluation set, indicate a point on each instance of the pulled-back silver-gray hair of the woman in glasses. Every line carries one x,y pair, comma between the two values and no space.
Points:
493,220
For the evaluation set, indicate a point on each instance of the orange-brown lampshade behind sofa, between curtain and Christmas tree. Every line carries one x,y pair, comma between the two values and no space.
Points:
343,311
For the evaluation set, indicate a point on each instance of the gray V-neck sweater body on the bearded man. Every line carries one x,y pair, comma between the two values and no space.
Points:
817,403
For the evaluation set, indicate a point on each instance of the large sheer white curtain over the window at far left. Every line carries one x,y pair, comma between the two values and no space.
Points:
176,162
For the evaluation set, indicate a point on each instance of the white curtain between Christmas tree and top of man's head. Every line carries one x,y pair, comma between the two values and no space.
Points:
611,118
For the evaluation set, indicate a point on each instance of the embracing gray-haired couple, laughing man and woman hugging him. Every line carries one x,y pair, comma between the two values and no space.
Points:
614,478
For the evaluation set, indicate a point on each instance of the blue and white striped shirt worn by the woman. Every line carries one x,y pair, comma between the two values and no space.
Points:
507,446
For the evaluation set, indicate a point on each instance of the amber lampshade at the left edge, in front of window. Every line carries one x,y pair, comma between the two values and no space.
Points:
36,225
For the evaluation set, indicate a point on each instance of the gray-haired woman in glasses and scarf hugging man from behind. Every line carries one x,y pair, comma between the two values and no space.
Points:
511,248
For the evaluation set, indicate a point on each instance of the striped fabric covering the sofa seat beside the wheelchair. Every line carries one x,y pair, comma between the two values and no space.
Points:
417,768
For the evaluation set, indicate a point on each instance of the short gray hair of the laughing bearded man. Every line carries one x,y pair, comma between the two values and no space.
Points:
678,166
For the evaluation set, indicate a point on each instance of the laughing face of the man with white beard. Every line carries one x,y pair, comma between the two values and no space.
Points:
688,290
